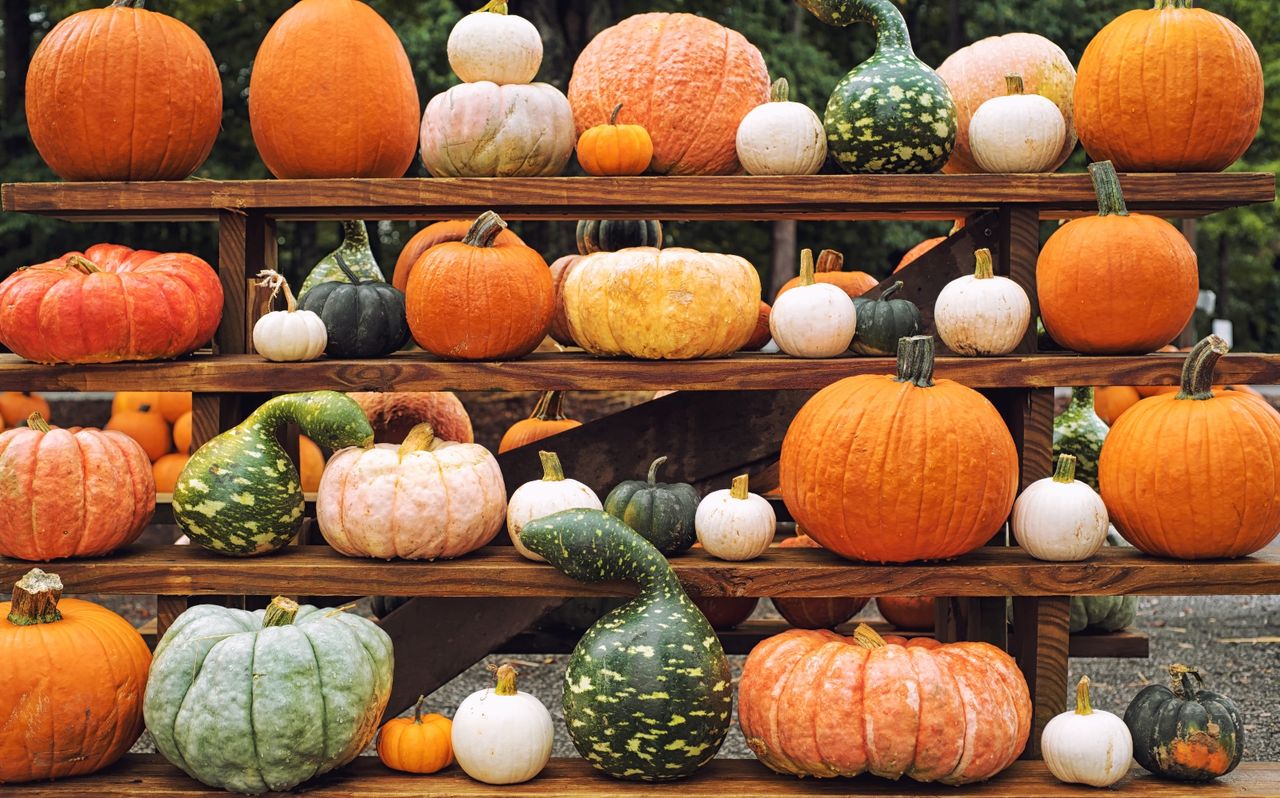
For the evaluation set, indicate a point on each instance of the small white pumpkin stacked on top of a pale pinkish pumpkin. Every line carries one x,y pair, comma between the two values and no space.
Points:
492,45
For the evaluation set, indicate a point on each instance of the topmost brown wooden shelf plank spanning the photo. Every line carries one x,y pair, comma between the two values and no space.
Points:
868,197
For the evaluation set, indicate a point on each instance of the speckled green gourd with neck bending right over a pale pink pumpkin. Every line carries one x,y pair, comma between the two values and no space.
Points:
241,494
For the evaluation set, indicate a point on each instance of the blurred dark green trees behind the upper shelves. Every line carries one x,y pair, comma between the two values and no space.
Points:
1244,244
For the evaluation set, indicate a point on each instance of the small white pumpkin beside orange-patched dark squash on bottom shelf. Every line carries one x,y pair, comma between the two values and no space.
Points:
1087,746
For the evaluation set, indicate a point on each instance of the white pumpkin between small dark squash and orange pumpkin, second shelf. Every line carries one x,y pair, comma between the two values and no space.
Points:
982,314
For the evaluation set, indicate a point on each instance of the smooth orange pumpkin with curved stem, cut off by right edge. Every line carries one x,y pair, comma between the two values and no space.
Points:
1195,476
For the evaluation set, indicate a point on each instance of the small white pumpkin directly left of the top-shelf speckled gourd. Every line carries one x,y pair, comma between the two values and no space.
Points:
781,138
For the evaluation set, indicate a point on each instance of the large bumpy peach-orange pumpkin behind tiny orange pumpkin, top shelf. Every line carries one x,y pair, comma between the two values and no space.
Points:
670,70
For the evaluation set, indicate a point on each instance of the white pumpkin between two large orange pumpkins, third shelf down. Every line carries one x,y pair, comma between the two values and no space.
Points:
1059,518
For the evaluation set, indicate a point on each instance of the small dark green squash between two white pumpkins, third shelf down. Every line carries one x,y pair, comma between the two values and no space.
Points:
664,514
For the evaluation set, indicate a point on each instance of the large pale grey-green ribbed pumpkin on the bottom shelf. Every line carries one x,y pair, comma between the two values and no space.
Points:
264,701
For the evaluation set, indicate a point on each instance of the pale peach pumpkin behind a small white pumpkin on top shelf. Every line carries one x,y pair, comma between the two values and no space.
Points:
977,74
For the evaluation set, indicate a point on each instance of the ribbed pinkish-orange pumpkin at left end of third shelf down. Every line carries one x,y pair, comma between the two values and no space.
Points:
72,494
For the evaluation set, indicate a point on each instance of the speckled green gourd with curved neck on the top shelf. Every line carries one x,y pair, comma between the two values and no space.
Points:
893,113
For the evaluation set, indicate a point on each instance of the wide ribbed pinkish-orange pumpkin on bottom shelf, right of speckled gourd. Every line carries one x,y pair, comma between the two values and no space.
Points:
816,704
